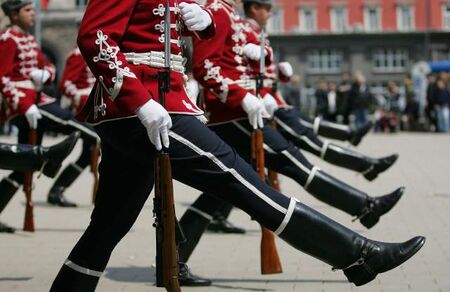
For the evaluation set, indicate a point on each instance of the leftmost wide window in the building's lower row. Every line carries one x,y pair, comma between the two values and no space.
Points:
325,60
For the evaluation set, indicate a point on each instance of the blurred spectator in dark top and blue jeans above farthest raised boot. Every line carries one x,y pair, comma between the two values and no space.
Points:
360,99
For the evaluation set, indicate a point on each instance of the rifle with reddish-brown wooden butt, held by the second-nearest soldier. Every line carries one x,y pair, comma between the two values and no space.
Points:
270,261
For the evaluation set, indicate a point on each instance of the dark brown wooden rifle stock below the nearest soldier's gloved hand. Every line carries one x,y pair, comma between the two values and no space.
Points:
166,253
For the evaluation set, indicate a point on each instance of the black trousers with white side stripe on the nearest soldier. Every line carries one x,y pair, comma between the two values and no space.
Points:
199,159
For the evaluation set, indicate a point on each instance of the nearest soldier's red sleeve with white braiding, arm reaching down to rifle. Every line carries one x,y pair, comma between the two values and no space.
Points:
102,28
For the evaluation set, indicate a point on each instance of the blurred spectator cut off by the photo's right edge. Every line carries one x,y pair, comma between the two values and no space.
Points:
442,101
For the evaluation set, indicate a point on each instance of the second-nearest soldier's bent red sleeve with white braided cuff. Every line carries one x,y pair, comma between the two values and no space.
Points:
206,59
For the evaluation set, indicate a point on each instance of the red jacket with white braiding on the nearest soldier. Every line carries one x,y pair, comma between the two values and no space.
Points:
112,28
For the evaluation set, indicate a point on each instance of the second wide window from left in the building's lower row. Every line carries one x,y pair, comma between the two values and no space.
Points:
390,60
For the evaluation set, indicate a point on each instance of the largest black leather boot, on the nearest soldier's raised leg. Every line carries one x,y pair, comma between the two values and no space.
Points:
361,259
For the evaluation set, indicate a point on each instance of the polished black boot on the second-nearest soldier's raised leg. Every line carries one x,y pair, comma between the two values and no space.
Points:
350,200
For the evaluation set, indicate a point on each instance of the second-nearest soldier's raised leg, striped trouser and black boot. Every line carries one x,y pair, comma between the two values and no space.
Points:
283,157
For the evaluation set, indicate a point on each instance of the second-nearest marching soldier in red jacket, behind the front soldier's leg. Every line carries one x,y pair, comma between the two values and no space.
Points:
220,66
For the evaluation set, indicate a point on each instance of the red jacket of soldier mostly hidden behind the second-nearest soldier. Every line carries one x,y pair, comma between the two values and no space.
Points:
253,31
